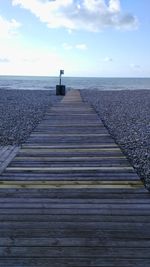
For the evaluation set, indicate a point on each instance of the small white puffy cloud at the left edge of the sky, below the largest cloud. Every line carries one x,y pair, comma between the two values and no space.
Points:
8,28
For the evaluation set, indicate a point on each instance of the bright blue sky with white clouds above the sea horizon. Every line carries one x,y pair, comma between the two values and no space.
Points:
86,38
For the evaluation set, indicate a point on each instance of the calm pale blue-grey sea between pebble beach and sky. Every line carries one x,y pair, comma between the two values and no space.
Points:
48,83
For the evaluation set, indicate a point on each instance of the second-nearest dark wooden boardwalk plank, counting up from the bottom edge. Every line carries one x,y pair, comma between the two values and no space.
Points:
75,252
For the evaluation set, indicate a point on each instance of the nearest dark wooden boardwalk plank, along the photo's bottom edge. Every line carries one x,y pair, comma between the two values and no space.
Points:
74,262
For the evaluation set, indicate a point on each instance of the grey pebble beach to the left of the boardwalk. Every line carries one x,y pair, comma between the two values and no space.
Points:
21,111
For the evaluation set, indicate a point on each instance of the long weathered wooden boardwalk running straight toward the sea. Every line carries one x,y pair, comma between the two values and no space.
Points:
71,199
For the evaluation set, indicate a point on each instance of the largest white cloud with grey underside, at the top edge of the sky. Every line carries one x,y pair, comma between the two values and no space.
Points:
90,15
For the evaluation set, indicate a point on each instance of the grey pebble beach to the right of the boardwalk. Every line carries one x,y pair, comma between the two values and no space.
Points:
126,114
